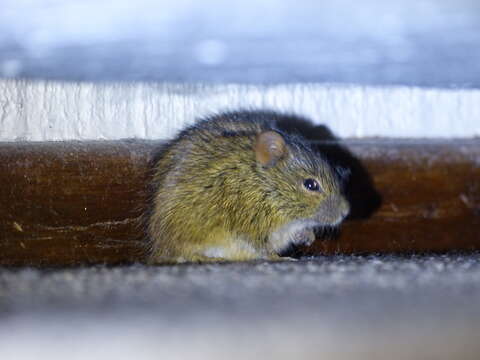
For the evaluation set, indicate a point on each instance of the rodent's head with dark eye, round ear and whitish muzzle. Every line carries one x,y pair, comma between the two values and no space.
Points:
300,183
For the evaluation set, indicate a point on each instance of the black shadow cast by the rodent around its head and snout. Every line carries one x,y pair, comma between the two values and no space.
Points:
364,199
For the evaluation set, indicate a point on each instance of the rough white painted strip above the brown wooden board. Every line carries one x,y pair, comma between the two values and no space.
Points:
47,110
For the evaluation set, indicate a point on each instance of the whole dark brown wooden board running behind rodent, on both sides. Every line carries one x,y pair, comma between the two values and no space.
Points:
68,203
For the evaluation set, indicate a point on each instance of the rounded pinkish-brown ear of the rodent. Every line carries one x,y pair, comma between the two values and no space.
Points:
269,148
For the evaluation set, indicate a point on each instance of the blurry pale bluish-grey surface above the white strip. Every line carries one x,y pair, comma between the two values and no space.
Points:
426,43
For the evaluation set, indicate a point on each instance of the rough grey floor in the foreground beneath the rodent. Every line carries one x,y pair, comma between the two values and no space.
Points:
422,307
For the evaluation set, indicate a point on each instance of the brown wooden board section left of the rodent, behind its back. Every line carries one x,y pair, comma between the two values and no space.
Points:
69,203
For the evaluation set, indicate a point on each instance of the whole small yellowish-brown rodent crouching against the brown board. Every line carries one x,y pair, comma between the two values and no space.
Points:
235,187
